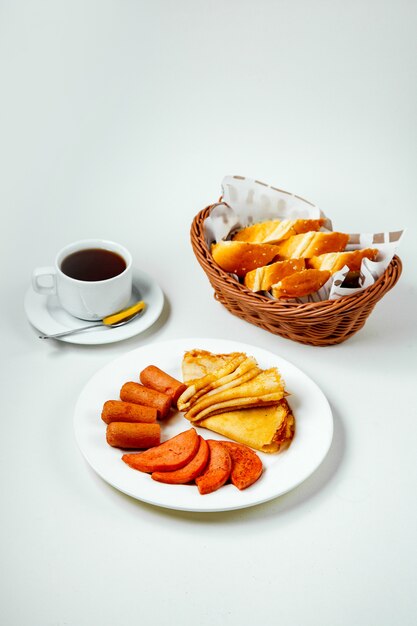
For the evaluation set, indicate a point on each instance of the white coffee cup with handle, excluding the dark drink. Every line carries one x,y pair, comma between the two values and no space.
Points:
87,299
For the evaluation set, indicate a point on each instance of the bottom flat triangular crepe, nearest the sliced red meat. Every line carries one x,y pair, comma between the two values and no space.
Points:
268,429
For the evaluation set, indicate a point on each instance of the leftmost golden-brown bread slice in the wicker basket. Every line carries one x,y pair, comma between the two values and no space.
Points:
240,257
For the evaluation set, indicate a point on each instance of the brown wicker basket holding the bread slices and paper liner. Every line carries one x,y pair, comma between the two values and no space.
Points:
317,324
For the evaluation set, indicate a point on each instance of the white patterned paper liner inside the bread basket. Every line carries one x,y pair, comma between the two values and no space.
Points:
246,201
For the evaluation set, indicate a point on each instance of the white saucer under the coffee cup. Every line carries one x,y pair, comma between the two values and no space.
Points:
46,314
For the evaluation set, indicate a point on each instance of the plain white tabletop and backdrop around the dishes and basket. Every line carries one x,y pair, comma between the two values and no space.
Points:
119,120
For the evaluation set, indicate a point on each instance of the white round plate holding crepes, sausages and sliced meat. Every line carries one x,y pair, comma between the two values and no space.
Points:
282,472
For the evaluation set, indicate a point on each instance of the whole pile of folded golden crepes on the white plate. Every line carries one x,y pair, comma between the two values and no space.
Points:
266,428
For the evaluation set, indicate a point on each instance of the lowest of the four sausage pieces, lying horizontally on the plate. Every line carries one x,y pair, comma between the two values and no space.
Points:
128,435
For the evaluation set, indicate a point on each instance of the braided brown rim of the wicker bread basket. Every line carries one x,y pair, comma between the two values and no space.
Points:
229,284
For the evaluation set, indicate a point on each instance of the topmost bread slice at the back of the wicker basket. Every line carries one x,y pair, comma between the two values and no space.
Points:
274,231
